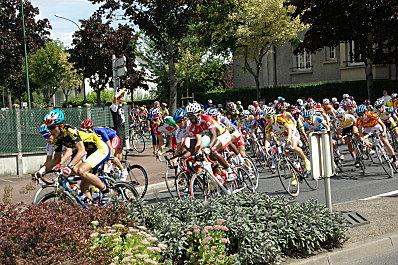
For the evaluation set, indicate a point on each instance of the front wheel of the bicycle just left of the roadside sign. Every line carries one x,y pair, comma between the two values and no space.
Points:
288,177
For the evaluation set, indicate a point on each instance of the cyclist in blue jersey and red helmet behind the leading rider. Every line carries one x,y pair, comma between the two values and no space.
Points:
110,137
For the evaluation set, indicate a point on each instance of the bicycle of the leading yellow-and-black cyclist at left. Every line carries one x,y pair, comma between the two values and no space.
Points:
64,188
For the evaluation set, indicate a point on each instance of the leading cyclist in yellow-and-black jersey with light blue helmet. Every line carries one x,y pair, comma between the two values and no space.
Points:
86,144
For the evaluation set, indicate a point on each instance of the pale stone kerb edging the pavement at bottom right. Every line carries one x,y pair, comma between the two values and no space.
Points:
353,253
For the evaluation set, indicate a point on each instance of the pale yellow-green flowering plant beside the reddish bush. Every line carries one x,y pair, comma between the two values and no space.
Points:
127,245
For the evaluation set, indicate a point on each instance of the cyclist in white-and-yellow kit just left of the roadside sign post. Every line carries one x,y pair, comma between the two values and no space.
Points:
285,131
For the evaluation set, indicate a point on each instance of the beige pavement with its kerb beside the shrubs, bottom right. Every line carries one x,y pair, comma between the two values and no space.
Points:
377,237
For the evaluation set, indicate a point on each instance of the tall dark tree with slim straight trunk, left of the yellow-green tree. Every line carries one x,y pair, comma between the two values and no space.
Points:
165,22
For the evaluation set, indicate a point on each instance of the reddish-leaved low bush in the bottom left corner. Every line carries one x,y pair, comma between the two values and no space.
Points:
53,233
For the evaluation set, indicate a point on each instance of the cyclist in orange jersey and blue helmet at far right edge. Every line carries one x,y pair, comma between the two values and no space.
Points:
369,122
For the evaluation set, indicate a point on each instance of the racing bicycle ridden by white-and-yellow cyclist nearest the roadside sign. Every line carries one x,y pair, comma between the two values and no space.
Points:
290,169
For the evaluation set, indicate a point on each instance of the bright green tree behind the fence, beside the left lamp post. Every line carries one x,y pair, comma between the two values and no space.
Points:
50,69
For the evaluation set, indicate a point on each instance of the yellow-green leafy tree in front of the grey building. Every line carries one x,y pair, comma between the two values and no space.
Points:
263,24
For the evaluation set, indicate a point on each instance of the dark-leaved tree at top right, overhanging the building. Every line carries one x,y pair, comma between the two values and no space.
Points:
368,23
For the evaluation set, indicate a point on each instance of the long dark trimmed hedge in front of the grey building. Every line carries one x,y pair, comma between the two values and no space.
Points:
317,91
